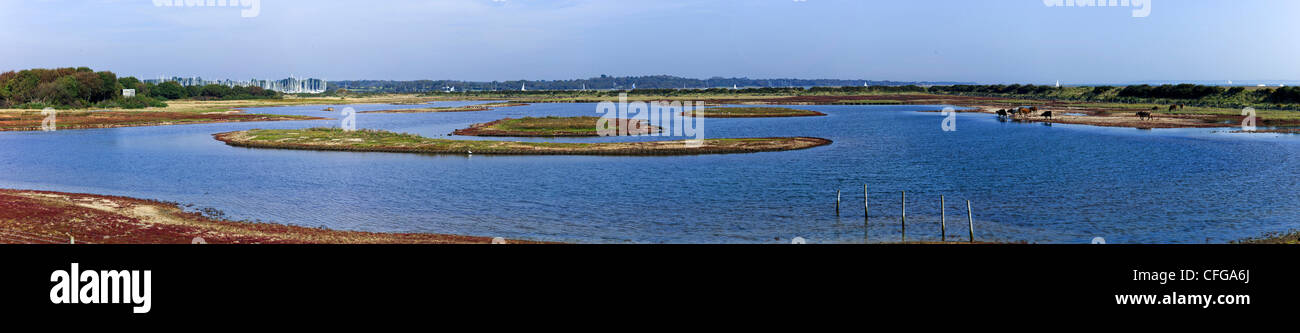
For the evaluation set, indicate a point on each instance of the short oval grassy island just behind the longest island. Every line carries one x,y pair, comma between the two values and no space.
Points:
556,127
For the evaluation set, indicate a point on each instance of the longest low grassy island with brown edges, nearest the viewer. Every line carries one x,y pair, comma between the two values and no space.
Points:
379,141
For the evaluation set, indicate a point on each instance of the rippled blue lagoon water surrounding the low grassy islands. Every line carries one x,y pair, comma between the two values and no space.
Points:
1060,184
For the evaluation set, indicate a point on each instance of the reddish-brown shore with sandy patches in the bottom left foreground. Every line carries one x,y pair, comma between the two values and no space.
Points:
45,218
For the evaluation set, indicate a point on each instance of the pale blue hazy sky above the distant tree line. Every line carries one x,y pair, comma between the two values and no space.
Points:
972,41
